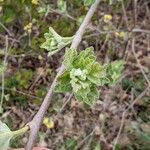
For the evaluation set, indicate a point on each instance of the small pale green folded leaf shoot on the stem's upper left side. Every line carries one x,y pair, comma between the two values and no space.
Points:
54,42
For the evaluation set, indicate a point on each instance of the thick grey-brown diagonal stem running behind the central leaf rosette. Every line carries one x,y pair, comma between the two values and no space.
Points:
37,120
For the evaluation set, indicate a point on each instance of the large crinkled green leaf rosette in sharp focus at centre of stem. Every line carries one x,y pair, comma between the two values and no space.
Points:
82,73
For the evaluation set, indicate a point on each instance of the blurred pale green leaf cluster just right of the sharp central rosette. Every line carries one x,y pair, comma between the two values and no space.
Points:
114,71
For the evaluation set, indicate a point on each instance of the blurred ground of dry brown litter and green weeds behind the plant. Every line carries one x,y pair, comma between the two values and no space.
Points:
120,29
